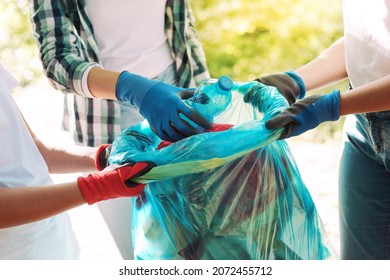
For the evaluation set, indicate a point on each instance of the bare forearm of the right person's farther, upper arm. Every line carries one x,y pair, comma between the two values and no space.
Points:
327,68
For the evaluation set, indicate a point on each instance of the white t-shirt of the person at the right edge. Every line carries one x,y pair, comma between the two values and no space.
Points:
367,40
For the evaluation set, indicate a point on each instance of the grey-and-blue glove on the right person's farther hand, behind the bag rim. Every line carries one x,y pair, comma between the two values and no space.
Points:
289,84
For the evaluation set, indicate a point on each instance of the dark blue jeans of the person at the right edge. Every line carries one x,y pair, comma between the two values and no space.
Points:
364,187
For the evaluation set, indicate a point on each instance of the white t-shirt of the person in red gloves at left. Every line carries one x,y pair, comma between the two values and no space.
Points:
21,164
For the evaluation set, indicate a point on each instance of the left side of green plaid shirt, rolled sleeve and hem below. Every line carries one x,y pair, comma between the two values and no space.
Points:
67,49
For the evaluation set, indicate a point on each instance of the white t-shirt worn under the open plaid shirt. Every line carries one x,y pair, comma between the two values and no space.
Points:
130,35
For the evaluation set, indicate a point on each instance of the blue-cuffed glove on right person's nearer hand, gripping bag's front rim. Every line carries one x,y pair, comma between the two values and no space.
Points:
306,114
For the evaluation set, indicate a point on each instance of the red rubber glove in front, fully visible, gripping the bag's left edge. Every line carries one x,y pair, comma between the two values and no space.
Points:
114,183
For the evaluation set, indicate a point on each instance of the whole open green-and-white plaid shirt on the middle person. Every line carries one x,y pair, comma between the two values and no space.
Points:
67,47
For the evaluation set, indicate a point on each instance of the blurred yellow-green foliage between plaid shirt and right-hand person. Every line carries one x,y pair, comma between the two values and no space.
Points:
246,38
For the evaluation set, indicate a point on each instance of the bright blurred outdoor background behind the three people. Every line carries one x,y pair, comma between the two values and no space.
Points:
243,39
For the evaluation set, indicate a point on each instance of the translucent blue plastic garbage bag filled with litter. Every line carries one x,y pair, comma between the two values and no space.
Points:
233,192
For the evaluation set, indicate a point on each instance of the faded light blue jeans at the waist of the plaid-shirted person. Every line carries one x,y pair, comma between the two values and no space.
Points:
129,113
